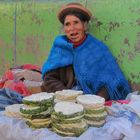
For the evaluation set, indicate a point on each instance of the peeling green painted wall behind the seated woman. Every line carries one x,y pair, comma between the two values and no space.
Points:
27,30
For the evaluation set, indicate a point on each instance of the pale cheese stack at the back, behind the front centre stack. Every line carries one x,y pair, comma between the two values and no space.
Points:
67,95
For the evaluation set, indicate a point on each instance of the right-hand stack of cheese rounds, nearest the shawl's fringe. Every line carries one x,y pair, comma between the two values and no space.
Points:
95,112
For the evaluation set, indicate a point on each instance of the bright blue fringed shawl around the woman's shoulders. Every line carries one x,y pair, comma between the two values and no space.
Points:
94,66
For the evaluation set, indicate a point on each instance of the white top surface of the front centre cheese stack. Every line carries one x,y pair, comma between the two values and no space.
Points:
68,108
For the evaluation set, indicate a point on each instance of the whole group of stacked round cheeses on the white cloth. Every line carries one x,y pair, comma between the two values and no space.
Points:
71,115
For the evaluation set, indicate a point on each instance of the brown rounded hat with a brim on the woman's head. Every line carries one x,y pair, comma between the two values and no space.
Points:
73,7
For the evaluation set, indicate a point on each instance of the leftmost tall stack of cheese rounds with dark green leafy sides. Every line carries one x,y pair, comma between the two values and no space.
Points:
37,109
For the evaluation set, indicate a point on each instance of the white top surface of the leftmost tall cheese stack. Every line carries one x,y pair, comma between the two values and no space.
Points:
39,96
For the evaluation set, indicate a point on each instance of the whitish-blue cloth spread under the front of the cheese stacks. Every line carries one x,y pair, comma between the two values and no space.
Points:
115,128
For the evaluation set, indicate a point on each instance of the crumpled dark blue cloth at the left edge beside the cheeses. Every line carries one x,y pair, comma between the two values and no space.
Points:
9,97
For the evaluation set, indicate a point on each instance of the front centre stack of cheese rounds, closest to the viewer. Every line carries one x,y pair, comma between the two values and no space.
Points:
67,119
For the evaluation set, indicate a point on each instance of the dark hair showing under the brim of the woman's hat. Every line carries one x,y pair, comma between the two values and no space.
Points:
79,15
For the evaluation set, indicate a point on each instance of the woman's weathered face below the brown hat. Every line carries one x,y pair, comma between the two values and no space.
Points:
74,28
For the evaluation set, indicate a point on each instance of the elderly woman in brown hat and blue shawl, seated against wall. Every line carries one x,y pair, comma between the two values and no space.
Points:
79,61
